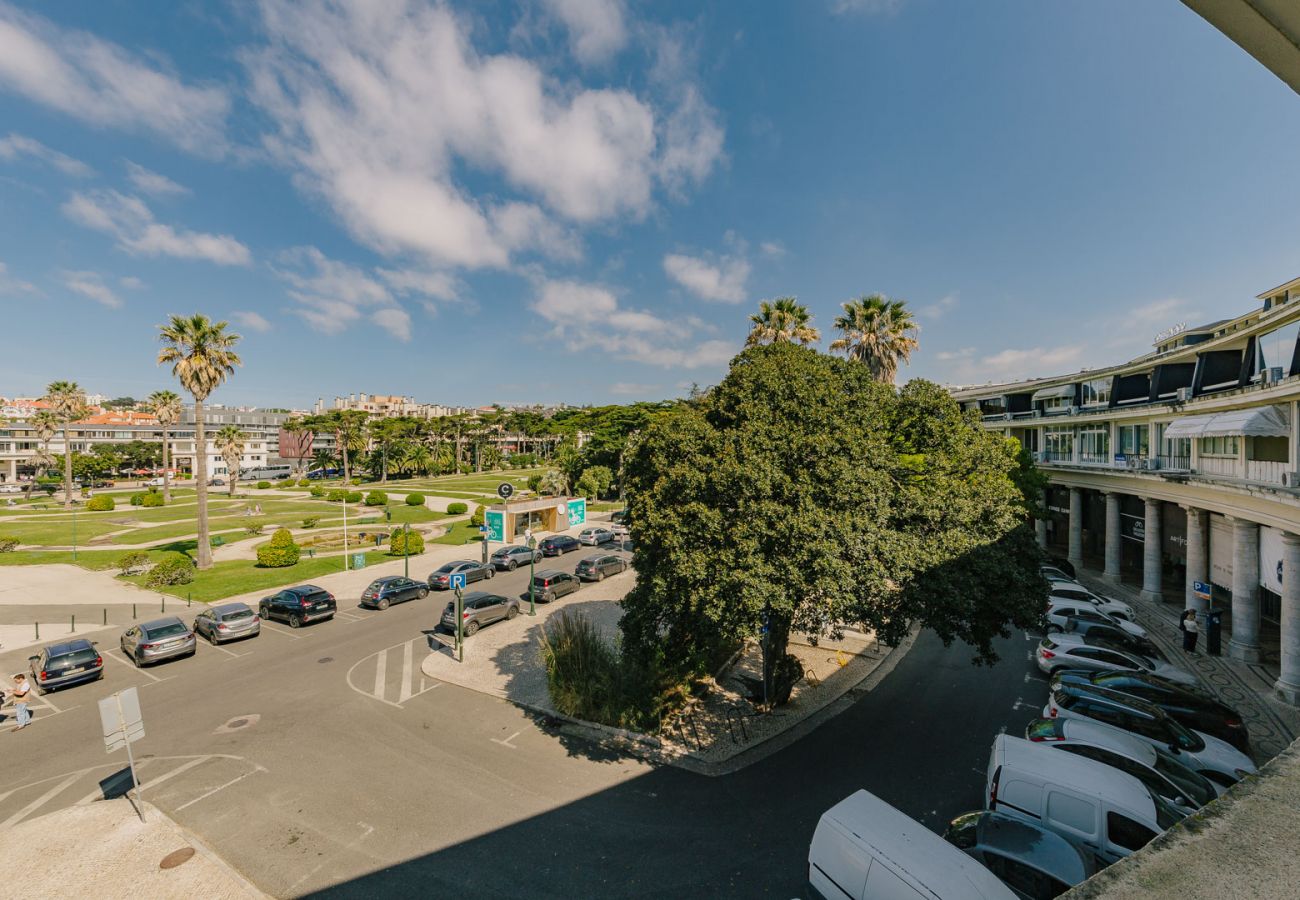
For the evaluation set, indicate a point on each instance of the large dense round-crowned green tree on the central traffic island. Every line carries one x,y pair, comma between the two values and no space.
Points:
804,495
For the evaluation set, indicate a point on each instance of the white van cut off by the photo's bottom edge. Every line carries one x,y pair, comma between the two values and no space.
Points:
866,850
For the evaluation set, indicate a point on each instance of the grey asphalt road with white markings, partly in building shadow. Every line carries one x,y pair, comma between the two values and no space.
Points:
322,760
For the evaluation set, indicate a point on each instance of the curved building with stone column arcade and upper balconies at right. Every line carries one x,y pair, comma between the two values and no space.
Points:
1181,468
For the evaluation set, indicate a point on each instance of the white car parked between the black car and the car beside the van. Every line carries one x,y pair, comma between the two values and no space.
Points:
1215,759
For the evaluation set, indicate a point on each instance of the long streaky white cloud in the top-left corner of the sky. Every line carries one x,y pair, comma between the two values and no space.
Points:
99,83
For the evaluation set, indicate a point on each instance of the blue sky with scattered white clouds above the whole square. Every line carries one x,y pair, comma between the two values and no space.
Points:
583,201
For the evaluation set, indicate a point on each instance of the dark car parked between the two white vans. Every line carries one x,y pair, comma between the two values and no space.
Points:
1034,862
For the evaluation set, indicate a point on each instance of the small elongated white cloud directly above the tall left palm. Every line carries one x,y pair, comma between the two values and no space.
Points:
132,223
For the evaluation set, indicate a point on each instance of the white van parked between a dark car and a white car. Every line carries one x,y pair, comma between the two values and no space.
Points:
1108,812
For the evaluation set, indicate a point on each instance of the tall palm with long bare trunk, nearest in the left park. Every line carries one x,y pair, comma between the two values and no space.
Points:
202,356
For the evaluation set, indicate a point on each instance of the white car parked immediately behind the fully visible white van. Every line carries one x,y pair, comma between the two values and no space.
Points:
1154,767
